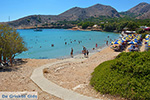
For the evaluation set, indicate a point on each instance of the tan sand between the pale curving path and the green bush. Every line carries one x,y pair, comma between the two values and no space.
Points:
76,75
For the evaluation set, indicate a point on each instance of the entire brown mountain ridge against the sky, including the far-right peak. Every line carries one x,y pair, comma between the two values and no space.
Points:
141,11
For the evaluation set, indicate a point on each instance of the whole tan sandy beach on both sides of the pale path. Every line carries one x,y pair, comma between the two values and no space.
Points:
74,75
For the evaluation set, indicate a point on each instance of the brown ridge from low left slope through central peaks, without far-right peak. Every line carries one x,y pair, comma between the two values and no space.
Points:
70,15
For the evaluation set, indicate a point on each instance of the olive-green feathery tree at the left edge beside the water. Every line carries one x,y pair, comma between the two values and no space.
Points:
11,43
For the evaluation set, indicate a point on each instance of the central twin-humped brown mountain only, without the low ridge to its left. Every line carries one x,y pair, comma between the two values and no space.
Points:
95,11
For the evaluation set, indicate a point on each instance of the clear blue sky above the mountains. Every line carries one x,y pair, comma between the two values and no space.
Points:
21,8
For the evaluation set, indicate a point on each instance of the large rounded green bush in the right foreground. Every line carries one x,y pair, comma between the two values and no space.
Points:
127,76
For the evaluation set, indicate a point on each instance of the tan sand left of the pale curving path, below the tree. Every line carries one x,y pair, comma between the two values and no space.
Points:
17,78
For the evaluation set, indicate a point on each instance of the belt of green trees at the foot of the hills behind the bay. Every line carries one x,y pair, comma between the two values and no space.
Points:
109,23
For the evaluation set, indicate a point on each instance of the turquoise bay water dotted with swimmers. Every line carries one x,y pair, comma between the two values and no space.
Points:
39,43
